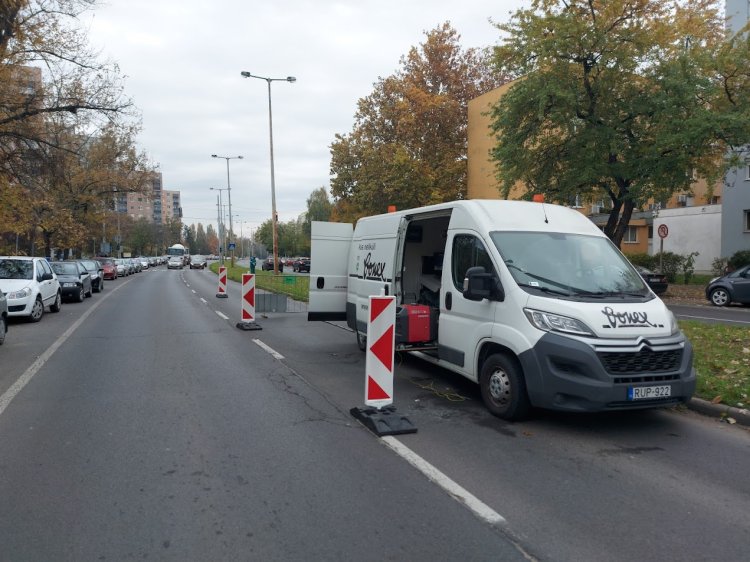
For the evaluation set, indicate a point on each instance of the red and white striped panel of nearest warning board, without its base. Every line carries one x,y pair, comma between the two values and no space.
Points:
381,339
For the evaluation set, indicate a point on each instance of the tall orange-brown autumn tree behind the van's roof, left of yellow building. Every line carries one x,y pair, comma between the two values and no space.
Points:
408,146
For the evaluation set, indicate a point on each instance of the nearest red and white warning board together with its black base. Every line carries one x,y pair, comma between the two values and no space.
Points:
379,415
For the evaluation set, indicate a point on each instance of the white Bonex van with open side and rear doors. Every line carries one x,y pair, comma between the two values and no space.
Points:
530,300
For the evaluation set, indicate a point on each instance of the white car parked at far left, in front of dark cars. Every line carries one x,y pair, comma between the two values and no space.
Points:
29,285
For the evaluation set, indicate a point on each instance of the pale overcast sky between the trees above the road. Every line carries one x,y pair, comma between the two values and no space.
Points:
183,58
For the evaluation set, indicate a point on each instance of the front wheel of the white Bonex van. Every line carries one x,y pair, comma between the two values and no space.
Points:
503,388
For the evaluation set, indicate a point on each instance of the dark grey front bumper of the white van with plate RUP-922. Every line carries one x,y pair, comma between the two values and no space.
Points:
596,375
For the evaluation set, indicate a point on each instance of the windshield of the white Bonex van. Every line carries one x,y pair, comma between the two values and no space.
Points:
568,264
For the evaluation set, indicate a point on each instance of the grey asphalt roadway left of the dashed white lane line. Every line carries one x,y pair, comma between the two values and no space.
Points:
158,430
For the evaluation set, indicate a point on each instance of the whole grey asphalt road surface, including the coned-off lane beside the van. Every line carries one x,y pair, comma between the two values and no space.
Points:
158,429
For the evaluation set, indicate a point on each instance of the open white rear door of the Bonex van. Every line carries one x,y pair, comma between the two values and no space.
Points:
329,275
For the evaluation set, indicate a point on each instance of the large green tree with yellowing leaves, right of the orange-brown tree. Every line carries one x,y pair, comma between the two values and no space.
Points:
622,100
